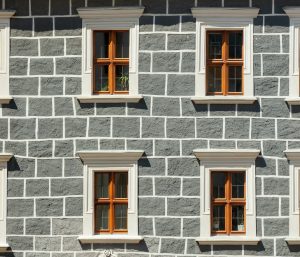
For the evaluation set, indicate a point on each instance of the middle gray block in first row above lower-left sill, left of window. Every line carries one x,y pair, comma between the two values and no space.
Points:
37,226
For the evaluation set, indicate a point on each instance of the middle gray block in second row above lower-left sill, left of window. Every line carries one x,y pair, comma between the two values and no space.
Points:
49,207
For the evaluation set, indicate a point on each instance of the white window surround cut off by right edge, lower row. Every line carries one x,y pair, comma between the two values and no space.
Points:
294,220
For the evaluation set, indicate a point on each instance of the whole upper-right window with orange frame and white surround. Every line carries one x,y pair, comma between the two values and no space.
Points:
224,47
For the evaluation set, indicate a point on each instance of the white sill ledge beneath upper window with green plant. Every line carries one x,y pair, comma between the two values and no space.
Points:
110,99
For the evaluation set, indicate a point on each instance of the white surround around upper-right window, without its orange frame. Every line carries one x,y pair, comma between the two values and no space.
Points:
224,19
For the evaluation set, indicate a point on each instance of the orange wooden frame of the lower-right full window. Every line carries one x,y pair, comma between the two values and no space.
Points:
228,202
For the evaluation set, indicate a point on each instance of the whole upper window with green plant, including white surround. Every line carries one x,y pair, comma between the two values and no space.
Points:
110,54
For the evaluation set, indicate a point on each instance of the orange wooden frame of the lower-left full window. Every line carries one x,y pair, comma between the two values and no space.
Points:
111,200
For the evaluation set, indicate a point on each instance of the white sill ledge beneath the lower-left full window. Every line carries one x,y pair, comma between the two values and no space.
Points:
110,239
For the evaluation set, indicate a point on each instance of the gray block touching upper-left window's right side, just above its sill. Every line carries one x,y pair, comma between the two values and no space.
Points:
152,84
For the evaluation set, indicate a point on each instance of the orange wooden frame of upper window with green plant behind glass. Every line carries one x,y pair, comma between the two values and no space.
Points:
111,61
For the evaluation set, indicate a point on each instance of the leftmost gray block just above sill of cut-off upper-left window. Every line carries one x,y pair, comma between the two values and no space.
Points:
23,86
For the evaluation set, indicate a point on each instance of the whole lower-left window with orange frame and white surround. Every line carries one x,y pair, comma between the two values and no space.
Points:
110,197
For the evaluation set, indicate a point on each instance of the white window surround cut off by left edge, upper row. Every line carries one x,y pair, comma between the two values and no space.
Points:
5,16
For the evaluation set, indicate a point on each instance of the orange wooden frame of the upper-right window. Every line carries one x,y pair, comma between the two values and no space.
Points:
225,62
